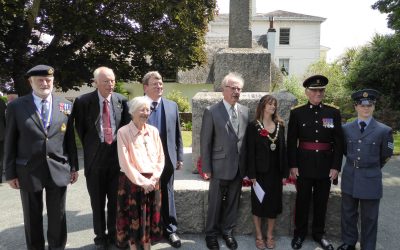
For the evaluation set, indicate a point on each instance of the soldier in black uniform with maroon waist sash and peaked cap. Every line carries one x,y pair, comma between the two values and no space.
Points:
315,151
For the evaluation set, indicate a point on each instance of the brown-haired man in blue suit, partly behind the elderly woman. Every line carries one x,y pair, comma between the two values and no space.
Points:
165,116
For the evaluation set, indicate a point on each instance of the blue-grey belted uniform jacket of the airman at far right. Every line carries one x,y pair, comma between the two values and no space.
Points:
366,154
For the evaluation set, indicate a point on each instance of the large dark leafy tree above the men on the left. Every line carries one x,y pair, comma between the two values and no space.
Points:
77,36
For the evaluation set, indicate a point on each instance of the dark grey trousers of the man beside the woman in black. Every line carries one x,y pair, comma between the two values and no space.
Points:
222,215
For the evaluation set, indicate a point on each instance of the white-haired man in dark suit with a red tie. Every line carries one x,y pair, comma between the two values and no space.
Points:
98,116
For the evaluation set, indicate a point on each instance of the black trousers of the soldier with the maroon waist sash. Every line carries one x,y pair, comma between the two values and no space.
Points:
316,190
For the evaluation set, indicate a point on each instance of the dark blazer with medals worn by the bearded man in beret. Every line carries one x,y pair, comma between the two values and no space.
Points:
29,148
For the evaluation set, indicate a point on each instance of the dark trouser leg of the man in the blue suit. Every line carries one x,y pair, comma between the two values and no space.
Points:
168,211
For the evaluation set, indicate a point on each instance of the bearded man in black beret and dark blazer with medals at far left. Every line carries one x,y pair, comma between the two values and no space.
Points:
41,154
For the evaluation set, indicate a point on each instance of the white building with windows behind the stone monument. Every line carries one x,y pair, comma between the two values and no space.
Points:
297,38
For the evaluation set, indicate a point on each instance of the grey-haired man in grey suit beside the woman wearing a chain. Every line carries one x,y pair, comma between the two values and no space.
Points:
222,153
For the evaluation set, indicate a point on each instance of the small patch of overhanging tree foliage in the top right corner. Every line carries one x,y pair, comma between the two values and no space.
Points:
392,8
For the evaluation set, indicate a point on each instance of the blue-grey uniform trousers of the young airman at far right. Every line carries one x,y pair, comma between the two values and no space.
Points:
369,210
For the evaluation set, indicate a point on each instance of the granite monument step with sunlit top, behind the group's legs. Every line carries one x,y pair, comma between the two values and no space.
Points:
191,196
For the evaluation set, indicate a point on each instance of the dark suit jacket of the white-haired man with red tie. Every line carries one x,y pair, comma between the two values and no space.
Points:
86,114
